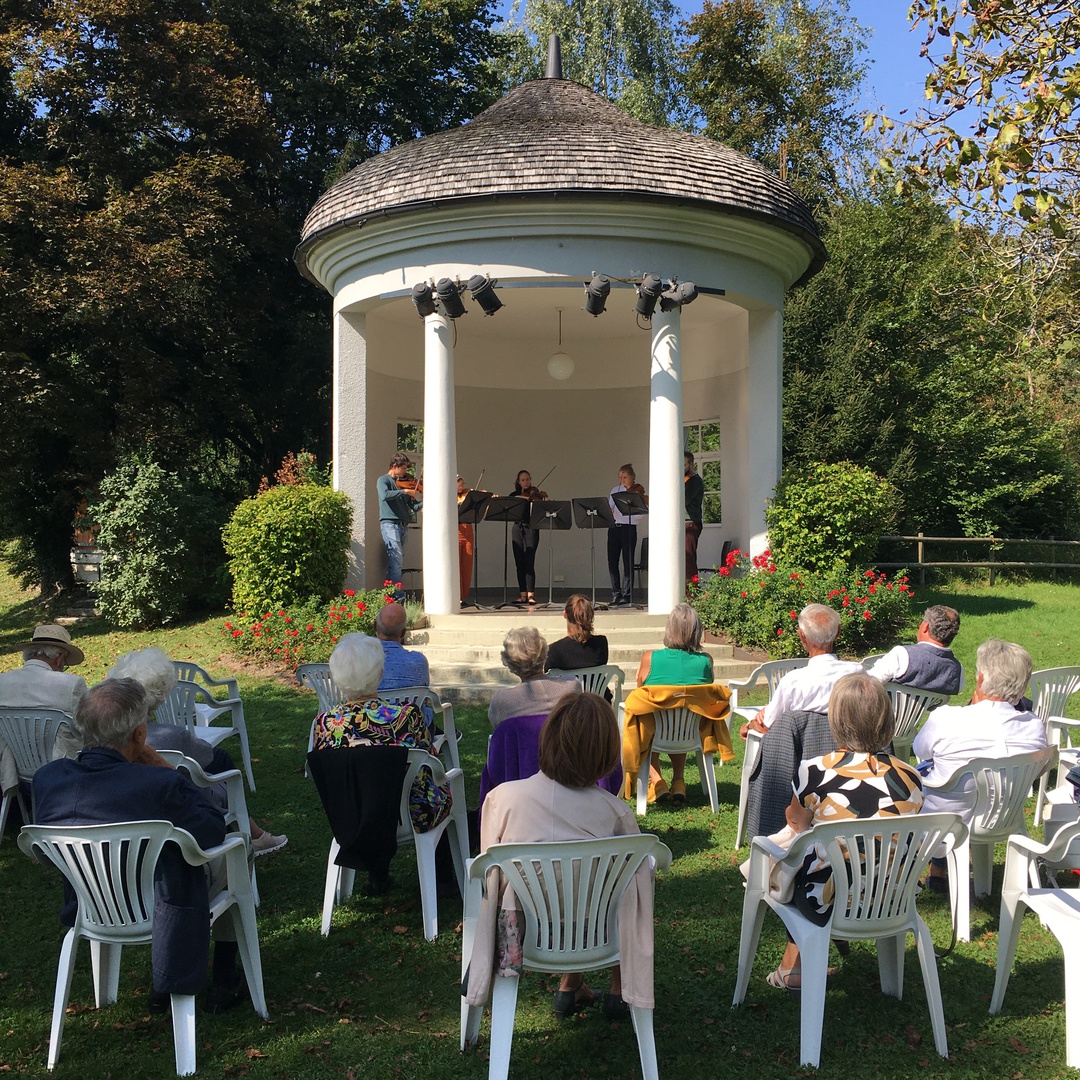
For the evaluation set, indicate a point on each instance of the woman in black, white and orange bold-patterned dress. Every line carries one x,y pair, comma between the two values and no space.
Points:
854,782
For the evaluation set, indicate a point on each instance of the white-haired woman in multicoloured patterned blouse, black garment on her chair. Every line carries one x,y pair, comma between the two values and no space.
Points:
366,720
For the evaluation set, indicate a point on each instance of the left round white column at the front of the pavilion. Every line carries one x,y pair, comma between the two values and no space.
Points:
441,588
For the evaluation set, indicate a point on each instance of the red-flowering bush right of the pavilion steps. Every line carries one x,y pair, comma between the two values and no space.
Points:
755,604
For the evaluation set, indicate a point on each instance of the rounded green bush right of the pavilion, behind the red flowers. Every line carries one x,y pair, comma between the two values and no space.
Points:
825,515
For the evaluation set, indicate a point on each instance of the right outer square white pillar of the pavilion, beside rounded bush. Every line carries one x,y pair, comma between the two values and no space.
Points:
765,421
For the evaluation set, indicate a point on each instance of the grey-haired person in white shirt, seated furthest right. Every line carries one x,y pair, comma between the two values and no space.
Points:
990,727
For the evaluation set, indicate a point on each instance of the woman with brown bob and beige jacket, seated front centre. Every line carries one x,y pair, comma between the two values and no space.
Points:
579,745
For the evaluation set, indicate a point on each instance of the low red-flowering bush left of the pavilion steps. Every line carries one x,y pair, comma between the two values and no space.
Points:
306,632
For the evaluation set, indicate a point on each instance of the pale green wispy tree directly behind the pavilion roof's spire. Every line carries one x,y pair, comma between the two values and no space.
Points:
625,50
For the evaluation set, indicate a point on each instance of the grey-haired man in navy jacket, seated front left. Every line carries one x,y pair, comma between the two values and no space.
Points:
118,778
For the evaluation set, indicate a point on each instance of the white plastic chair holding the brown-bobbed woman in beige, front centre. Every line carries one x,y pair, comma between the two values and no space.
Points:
570,896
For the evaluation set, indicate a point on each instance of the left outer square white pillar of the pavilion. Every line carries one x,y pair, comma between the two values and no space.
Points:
350,447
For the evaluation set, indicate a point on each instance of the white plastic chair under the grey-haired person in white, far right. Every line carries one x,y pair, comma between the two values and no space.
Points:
1002,787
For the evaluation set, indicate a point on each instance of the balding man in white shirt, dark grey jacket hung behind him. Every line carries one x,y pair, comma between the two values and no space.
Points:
795,721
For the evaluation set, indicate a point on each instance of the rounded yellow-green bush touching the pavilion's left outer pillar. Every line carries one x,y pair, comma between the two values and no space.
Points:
288,546
